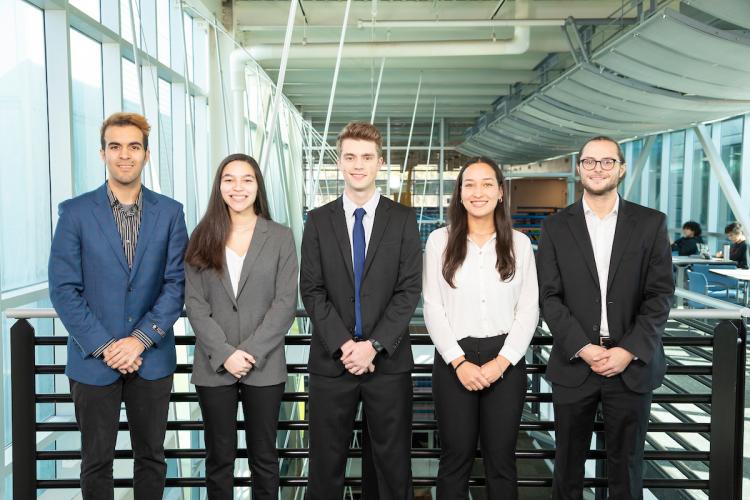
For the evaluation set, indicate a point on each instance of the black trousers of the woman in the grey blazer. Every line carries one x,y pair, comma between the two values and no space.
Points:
260,406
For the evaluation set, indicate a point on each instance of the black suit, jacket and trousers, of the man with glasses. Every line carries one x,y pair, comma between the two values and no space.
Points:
639,296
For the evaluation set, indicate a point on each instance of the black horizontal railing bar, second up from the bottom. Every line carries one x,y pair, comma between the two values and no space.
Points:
419,453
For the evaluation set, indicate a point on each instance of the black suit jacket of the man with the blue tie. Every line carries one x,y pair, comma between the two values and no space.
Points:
391,285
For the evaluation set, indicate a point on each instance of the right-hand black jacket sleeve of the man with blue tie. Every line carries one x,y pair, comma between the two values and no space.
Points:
394,323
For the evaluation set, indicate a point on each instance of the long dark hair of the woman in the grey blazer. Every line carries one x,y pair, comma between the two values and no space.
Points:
206,246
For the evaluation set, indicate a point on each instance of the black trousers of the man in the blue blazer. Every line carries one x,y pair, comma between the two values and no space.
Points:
97,410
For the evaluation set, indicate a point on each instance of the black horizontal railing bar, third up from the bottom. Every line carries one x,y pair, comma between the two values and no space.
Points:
418,425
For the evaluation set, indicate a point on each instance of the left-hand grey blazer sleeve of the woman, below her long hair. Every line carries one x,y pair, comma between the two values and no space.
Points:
208,334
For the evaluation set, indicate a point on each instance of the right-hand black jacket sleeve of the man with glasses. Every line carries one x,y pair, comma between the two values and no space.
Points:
648,327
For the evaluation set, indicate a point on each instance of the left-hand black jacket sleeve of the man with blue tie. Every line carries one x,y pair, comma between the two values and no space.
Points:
329,328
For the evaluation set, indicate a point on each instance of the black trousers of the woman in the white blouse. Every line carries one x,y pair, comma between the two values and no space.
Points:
493,415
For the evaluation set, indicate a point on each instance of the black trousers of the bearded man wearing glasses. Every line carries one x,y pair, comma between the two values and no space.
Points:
625,424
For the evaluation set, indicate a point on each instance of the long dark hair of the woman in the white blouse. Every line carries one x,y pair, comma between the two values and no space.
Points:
458,228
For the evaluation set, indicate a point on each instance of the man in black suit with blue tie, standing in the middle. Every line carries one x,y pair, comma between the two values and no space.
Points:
360,279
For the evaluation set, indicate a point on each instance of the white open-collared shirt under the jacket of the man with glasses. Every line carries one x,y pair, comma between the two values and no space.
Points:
602,234
